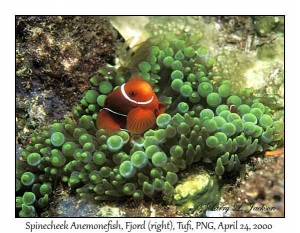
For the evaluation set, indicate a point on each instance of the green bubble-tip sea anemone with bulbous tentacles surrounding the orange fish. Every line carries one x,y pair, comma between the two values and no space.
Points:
204,121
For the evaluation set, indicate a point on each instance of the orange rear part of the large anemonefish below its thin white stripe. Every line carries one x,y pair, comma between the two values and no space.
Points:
106,121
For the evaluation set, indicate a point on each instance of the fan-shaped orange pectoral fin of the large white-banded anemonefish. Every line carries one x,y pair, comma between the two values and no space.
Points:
139,120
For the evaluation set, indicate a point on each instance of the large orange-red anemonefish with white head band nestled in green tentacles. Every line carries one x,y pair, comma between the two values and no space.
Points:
133,106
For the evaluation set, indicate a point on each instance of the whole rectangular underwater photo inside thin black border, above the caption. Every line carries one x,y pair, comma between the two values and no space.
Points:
149,116
